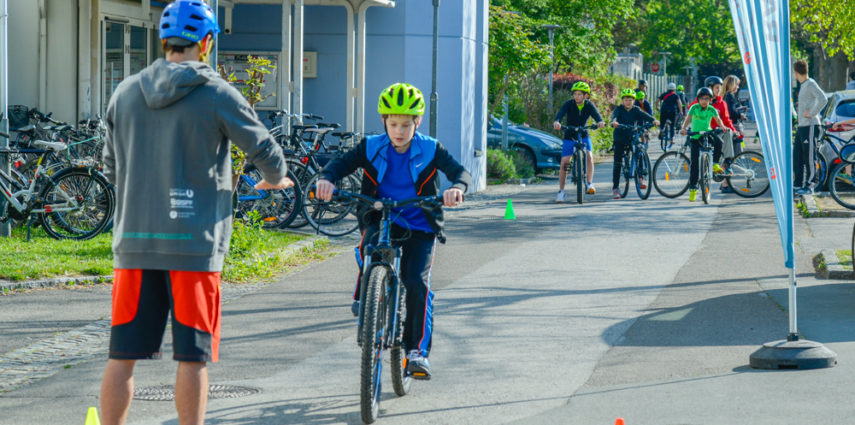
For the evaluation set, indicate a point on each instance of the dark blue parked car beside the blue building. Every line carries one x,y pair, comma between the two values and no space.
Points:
541,149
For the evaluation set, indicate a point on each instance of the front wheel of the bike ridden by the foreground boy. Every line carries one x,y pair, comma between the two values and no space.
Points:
373,328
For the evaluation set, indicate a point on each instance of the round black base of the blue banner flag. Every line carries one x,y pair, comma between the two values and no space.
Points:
798,354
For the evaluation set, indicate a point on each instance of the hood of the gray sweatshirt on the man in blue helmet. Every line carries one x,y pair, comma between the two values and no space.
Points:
164,83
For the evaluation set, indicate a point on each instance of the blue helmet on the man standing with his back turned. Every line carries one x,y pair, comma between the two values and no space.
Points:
190,20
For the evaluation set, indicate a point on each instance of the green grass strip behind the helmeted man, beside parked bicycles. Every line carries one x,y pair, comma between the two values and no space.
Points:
255,254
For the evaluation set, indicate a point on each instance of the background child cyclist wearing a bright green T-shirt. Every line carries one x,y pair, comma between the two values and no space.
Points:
701,115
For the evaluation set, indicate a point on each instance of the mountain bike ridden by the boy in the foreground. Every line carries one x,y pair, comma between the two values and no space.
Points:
382,307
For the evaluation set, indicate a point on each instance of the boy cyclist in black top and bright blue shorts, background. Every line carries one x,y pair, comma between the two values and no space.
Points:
576,112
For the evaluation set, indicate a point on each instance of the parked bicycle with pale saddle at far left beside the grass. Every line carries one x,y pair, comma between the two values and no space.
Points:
73,203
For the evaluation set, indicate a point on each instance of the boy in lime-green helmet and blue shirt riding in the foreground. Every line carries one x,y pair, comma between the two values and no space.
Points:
402,164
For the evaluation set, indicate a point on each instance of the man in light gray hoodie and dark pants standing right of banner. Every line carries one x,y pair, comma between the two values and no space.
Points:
811,100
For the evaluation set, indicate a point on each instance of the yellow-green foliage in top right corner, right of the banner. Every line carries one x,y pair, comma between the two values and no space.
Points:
827,23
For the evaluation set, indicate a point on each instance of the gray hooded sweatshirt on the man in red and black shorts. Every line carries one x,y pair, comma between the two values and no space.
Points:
168,153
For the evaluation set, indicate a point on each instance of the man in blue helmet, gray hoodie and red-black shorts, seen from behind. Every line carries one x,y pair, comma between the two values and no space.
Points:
168,153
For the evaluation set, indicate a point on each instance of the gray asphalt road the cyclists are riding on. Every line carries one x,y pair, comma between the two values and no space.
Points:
571,314
